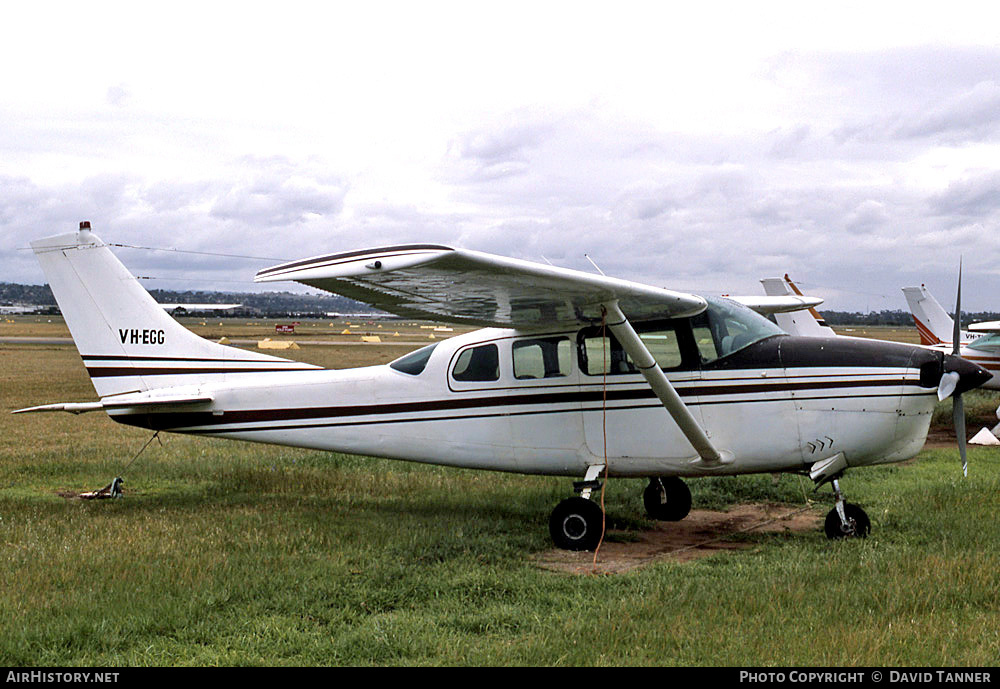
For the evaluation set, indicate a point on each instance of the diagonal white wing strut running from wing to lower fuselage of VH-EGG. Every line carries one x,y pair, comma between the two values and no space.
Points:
636,349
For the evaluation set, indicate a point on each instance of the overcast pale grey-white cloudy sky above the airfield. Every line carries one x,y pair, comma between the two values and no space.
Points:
855,146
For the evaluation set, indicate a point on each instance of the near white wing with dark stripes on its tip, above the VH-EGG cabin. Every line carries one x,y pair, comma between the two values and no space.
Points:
461,286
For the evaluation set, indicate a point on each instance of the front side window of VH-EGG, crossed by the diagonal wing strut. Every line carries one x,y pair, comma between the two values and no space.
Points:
599,355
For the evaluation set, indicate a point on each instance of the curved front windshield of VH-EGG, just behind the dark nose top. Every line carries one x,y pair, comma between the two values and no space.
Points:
727,326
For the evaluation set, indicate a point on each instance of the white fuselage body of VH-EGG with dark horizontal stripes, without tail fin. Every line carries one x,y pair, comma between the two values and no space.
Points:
771,418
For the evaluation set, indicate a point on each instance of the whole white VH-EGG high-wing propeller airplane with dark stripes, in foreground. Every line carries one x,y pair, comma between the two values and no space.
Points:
575,374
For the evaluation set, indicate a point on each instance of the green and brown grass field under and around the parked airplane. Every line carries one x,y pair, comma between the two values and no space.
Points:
227,553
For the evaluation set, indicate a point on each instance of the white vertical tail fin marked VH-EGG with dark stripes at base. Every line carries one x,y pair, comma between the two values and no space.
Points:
127,341
